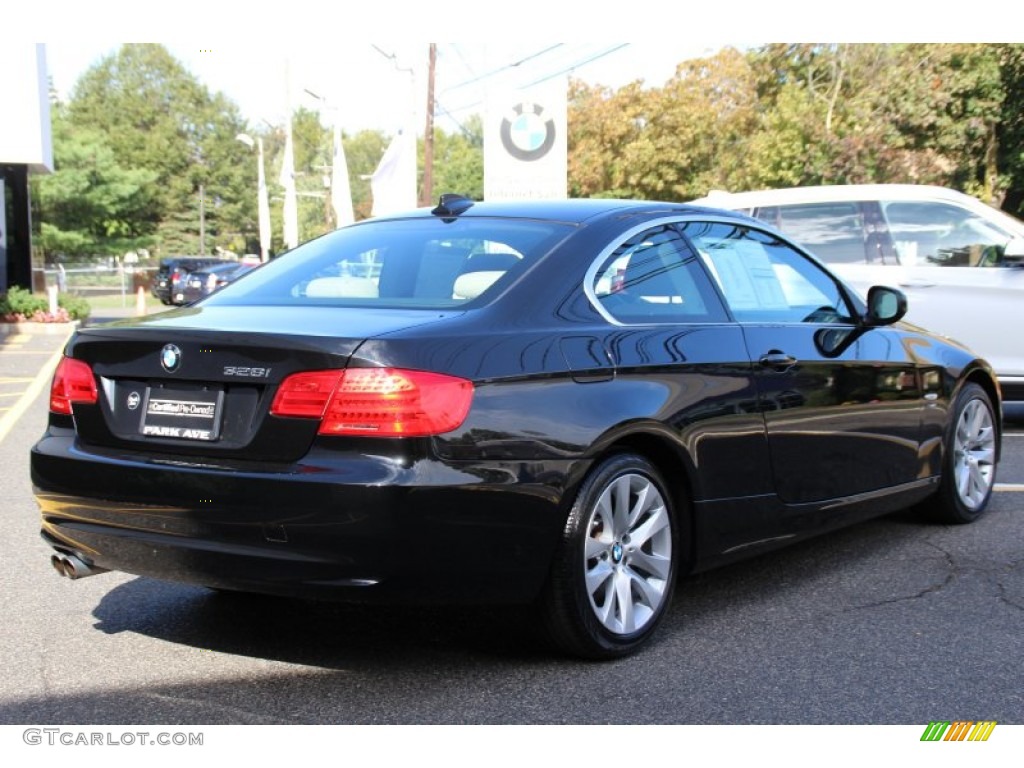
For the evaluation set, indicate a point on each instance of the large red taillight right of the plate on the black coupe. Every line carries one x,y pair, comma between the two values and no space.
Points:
376,402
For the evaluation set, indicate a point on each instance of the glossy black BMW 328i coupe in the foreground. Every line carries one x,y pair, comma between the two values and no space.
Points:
568,404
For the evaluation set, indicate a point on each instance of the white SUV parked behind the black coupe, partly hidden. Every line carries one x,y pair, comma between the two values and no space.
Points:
960,263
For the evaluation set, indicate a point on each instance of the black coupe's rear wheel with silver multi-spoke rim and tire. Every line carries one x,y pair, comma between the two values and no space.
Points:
614,574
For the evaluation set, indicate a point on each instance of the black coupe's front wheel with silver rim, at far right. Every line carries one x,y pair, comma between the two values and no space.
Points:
969,460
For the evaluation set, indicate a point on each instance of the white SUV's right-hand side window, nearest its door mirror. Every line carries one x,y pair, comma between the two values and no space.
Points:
943,235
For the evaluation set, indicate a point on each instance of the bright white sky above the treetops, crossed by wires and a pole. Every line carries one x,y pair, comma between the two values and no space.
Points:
379,86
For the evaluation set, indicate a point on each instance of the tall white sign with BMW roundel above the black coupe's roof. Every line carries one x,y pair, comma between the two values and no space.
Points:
525,144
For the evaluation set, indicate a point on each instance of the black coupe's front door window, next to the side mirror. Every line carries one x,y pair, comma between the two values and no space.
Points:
764,280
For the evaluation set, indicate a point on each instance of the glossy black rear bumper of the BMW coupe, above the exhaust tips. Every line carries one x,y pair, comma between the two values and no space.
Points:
343,527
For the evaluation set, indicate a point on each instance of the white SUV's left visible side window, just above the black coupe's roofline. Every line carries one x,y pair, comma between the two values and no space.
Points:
836,233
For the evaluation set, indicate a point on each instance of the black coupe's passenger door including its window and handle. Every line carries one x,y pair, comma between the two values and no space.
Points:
842,403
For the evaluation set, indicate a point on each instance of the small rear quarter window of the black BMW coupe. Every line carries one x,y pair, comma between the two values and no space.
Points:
655,278
